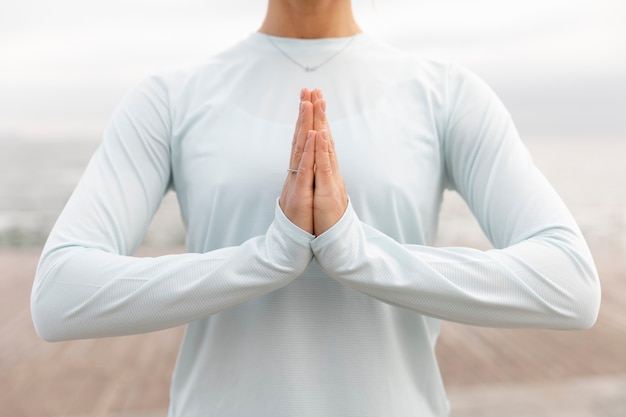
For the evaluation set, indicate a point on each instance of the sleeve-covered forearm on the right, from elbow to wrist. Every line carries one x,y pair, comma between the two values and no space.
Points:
546,281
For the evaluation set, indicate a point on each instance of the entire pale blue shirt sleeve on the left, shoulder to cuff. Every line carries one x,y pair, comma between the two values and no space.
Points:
87,283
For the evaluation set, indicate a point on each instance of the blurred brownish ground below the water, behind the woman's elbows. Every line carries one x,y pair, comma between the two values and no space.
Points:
488,372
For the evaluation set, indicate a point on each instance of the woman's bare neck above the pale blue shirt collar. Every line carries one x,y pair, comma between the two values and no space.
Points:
310,19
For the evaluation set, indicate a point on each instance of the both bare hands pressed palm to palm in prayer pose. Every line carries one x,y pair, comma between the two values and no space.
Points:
314,196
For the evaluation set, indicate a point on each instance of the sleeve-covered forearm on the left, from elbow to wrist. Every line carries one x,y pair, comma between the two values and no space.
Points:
83,292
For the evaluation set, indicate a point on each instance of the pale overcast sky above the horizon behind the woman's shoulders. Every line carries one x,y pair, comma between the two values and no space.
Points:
558,65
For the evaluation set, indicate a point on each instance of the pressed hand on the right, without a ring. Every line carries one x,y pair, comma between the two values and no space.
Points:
330,199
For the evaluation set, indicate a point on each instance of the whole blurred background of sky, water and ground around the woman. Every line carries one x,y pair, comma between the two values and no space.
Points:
558,65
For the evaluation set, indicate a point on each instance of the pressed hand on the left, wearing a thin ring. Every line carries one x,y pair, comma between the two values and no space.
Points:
296,199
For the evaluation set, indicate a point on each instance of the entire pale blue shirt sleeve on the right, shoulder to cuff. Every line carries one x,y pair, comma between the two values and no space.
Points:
540,273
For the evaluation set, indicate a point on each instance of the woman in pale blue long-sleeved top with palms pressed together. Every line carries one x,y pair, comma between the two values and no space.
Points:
318,294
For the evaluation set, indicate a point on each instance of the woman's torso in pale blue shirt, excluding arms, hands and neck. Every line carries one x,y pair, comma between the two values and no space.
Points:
314,347
